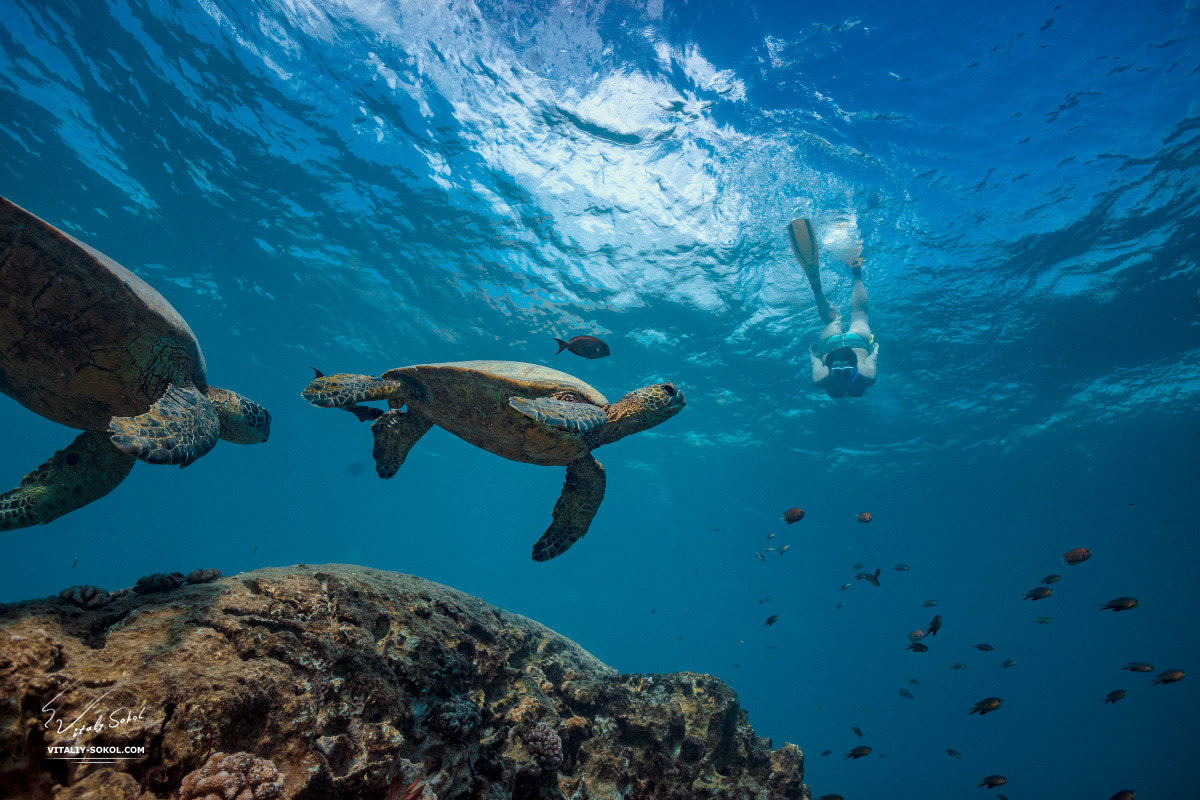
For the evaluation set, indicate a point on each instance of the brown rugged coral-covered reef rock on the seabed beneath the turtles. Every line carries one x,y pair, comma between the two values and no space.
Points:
340,682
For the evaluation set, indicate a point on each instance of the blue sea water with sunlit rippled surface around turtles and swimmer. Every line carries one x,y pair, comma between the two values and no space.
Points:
363,185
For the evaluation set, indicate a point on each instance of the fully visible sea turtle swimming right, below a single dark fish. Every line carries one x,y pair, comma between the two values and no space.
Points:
523,412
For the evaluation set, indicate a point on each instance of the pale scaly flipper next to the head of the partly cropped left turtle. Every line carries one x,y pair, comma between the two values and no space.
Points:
181,428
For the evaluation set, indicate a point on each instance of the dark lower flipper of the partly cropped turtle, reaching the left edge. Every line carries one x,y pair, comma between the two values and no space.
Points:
86,471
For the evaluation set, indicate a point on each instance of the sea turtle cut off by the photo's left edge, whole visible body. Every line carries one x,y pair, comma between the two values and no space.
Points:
87,344
